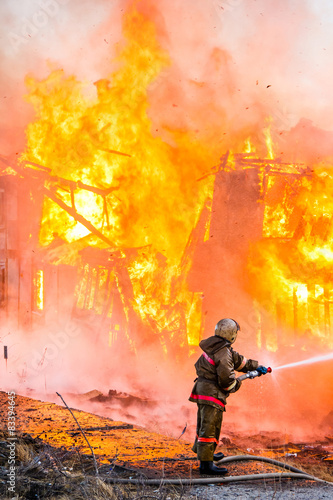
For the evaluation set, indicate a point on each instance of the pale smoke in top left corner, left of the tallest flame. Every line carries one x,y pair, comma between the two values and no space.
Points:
40,35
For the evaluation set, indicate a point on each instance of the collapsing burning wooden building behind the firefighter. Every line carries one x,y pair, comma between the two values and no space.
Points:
250,211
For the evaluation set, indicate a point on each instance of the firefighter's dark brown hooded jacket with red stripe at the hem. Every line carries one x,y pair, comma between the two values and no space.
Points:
216,372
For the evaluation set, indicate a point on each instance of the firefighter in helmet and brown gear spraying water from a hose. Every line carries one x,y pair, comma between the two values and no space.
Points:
215,381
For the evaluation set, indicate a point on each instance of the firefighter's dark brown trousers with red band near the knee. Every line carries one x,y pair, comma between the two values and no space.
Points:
209,422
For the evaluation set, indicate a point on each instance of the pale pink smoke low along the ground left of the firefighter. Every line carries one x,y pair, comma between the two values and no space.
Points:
71,359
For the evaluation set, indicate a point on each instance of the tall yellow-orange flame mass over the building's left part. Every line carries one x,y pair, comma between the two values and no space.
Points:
111,169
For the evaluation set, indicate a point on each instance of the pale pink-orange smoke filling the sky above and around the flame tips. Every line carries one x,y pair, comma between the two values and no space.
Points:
234,63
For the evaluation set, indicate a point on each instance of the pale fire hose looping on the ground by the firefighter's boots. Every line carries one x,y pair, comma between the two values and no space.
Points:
297,474
